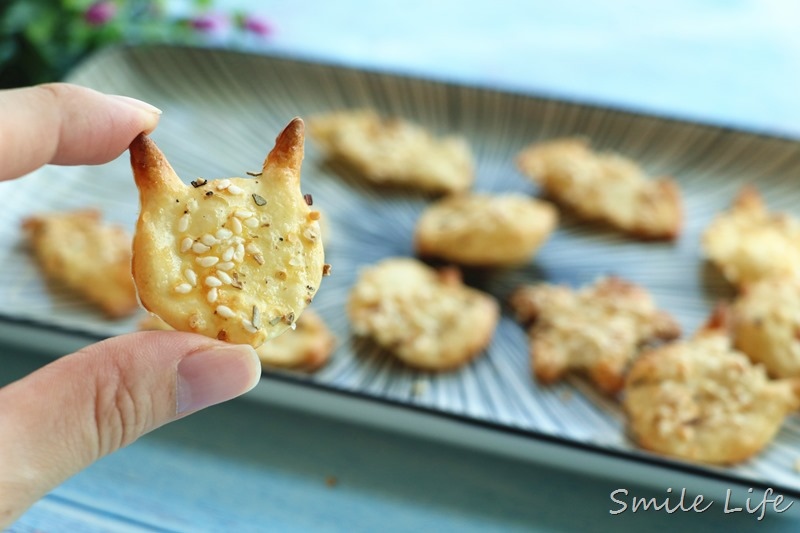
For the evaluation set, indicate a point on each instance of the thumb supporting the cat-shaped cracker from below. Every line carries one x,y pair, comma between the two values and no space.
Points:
63,417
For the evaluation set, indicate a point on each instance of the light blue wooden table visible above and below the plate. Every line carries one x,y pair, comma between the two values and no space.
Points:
250,466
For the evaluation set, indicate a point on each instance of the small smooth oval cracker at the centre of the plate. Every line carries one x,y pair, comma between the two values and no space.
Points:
485,230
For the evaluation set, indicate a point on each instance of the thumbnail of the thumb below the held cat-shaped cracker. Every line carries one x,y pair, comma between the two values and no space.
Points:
215,375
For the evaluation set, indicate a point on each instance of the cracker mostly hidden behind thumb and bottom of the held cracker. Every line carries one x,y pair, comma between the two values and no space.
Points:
307,348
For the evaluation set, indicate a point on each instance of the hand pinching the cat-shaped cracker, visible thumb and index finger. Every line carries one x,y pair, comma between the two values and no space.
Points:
63,417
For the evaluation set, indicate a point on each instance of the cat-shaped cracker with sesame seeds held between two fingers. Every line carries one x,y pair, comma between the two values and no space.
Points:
237,259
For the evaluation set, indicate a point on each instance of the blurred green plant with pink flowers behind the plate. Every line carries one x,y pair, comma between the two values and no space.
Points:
41,40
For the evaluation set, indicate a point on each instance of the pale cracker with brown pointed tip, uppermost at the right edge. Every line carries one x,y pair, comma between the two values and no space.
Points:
748,243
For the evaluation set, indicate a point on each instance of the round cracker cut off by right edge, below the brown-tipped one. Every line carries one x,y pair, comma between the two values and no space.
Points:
766,325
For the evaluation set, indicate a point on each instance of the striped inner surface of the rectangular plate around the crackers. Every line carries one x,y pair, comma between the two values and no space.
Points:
222,111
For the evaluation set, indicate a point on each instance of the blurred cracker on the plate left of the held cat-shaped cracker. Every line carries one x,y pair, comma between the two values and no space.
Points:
91,257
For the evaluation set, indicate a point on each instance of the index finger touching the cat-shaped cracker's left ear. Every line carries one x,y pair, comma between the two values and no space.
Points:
66,125
